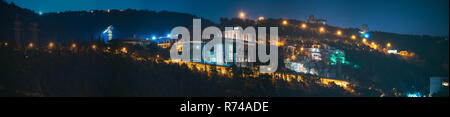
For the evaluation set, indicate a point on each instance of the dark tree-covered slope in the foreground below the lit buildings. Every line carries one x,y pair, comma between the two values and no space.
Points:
99,74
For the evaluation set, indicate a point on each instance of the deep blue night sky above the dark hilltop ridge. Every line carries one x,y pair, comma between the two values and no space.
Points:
400,16
